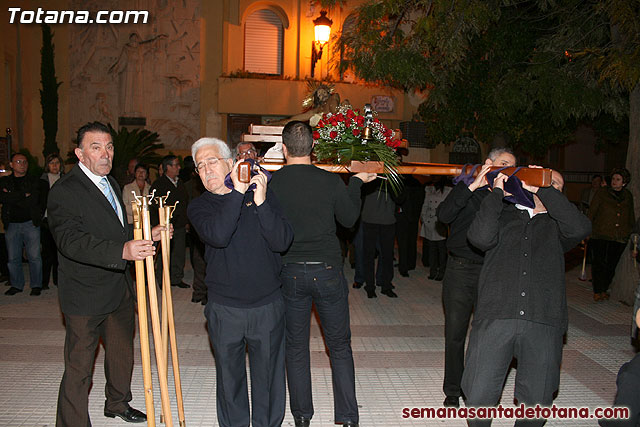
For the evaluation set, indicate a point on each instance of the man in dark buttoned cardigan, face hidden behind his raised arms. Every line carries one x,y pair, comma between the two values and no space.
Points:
522,304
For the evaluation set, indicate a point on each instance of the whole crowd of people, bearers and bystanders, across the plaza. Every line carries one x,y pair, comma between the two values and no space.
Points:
499,254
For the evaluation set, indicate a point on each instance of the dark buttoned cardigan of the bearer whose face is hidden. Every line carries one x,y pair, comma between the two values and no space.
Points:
523,272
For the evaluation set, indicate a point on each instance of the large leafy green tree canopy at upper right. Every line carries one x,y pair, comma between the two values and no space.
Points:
499,67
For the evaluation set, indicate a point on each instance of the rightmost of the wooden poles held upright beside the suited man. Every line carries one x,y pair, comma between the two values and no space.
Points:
166,239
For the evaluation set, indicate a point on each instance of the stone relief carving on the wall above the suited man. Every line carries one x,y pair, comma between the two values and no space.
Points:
142,70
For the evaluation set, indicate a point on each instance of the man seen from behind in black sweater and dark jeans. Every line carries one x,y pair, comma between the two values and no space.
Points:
312,200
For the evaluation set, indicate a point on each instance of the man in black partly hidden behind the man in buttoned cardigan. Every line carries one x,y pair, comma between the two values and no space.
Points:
460,283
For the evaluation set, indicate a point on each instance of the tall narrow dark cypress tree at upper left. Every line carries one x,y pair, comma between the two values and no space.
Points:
49,92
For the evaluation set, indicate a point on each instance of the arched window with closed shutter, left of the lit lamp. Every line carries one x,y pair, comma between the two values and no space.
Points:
263,42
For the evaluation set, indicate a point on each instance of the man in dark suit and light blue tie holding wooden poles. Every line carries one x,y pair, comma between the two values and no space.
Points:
88,222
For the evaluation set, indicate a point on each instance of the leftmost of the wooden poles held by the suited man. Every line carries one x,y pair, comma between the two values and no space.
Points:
143,323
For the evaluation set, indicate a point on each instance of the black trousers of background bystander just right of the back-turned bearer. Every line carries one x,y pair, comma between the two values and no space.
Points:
384,235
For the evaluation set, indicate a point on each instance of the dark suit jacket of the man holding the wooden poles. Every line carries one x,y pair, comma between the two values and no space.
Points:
90,238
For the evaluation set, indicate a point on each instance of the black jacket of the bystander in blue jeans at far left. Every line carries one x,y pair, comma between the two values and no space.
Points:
26,197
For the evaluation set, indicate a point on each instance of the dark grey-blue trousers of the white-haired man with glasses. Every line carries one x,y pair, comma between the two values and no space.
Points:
260,330
